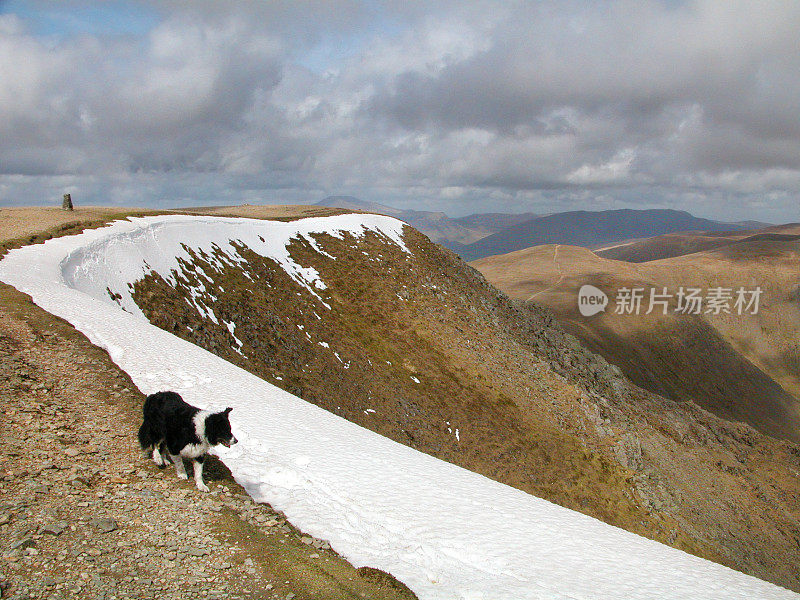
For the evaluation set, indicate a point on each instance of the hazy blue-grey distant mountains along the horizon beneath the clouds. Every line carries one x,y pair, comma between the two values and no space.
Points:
488,234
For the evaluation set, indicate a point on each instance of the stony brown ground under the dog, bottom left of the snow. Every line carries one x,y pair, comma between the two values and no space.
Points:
83,515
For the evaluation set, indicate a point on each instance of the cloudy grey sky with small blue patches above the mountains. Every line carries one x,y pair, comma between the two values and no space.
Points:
455,106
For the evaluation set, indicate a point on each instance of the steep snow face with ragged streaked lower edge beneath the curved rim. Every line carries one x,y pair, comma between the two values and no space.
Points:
113,261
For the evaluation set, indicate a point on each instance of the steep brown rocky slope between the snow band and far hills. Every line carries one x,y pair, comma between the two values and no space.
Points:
418,347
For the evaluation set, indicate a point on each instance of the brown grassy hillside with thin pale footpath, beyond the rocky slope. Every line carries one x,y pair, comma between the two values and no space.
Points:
708,358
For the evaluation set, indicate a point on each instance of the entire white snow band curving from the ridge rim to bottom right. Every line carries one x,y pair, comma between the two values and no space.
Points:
446,532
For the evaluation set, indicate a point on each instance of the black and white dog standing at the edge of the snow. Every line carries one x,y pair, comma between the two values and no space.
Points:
183,431
